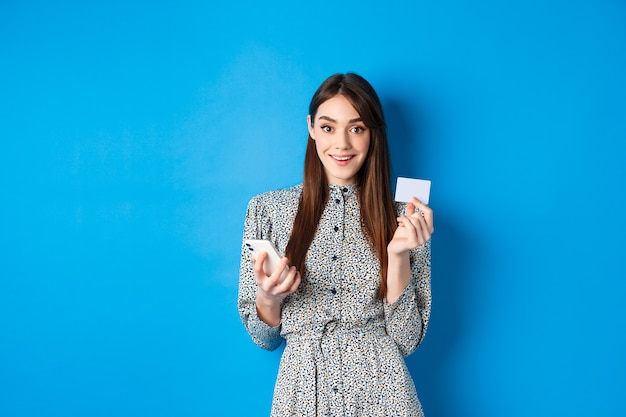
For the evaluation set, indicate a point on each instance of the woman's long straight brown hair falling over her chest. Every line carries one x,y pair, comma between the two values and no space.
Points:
378,219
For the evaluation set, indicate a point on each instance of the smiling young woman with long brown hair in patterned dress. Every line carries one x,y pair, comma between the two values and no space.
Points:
356,298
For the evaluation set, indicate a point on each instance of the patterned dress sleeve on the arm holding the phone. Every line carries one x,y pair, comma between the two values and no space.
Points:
257,225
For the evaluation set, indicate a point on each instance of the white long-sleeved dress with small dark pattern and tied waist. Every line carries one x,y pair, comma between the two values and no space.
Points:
345,348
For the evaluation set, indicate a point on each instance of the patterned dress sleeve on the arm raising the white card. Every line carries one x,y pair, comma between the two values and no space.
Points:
407,317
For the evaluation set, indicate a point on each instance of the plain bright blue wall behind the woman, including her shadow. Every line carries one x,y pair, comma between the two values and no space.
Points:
133,135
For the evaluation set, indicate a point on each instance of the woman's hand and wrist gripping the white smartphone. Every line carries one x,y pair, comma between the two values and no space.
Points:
273,288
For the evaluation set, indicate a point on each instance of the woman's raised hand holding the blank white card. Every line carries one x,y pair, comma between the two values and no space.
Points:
414,228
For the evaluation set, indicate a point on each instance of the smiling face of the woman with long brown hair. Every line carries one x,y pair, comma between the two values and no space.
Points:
341,139
